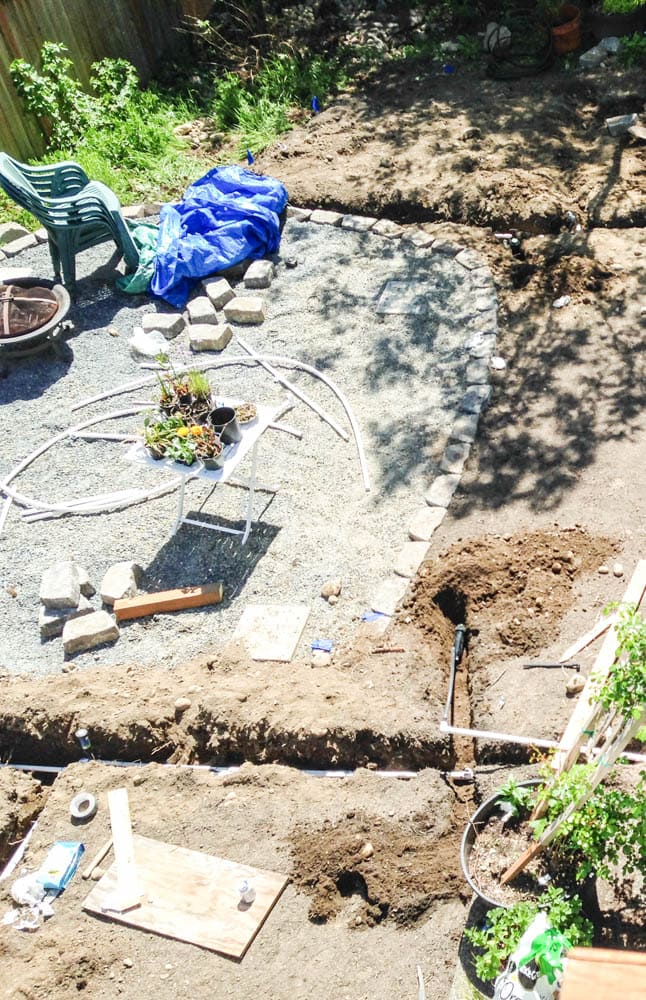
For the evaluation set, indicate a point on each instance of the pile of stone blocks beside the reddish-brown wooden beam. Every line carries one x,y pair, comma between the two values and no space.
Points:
66,607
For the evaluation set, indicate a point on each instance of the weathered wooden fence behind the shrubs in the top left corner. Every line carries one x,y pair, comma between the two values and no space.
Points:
141,31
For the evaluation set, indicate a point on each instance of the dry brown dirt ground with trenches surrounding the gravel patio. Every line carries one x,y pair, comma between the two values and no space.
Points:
554,489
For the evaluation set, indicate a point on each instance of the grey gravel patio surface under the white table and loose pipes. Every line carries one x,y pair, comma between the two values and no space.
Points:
403,374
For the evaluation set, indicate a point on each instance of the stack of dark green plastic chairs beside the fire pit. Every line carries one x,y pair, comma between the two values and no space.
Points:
76,212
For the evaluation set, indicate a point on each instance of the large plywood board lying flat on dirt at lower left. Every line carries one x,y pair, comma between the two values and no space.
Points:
192,897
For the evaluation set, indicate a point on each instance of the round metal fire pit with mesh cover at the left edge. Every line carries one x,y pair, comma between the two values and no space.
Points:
32,313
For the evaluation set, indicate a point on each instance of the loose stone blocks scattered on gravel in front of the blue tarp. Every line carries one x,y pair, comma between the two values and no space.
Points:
209,314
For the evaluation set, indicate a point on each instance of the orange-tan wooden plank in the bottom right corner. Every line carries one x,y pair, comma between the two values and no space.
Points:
604,974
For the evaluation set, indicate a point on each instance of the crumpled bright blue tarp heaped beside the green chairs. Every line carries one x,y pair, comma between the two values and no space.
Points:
229,215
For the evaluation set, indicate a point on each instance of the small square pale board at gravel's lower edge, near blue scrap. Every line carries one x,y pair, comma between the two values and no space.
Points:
272,631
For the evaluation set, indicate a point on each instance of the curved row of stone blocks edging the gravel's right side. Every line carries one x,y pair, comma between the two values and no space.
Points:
482,334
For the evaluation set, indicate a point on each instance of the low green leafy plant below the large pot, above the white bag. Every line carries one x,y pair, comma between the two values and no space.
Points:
505,927
